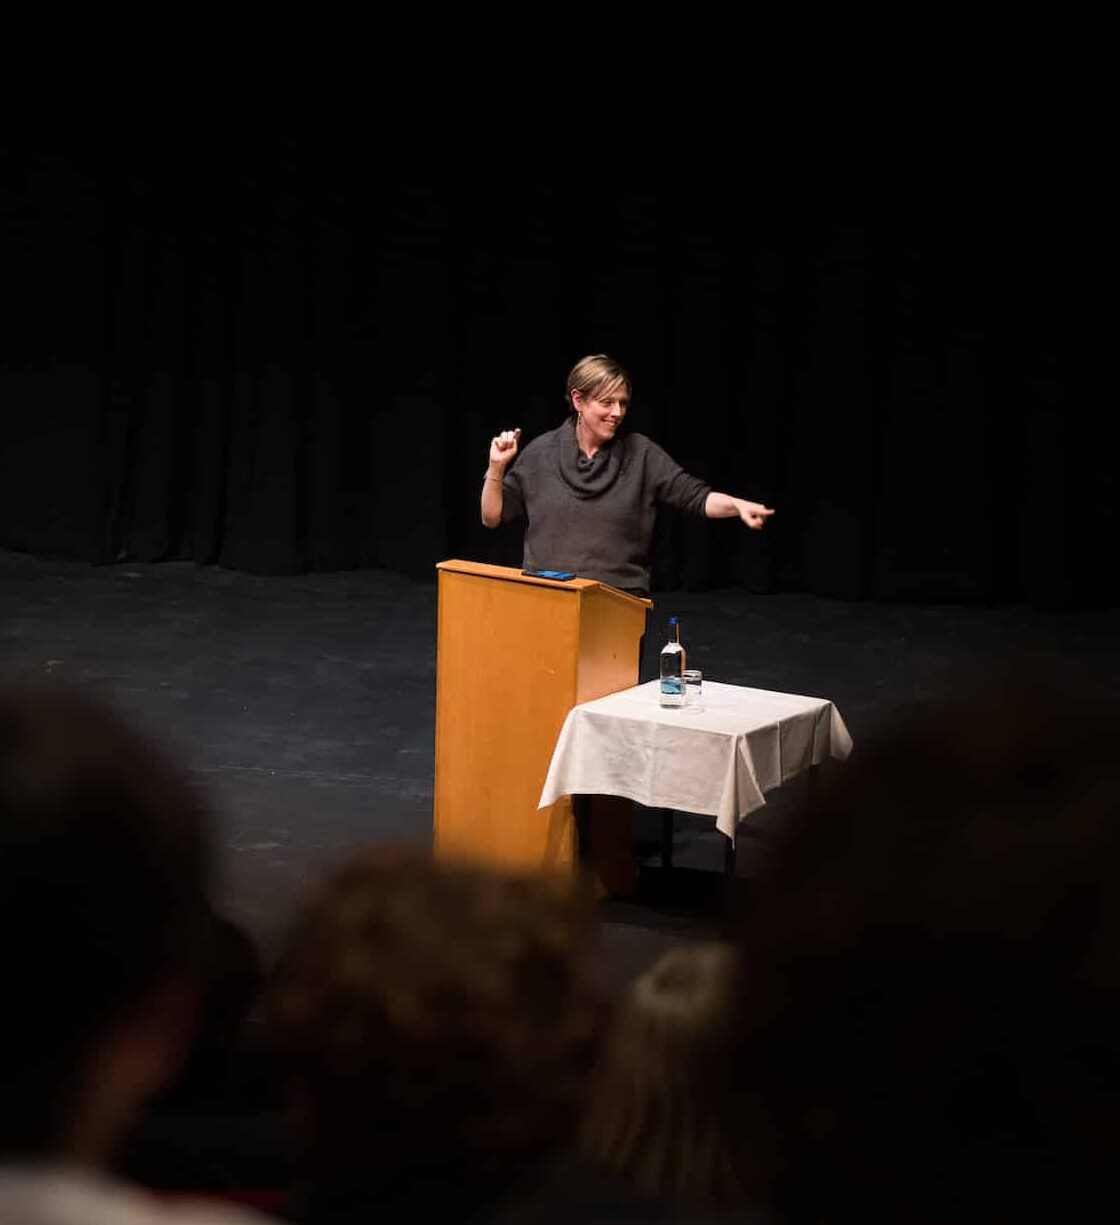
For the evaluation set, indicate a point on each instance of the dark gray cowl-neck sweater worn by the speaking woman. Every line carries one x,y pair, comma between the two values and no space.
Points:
596,516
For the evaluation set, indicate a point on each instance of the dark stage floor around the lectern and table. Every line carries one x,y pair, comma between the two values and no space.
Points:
308,704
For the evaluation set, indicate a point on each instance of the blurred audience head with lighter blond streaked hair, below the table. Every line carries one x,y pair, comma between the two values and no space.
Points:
665,1113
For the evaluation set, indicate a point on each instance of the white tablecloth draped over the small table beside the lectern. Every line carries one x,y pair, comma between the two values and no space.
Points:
720,758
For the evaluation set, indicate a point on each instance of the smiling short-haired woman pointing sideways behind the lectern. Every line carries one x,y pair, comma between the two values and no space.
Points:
590,493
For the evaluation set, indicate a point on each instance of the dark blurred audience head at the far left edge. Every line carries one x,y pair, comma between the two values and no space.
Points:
104,867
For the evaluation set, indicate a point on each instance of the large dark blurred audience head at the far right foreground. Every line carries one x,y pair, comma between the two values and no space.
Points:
931,1004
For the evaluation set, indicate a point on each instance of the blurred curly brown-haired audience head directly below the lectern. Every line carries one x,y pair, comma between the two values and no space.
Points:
437,1023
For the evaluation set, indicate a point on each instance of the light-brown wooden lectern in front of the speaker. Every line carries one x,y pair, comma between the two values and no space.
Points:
515,656
